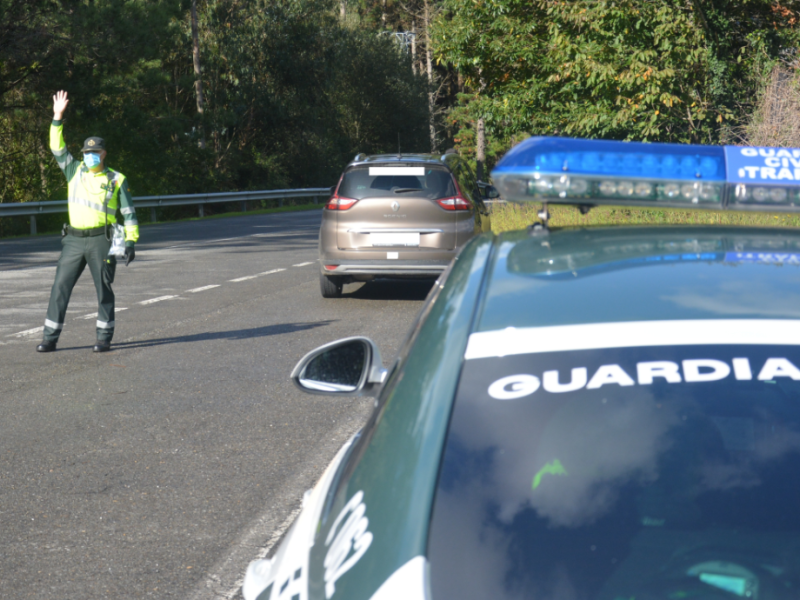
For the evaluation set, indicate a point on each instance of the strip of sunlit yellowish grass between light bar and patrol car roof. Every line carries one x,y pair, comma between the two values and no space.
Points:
512,216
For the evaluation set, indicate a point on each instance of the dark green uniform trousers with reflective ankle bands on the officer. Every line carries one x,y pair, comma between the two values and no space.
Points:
76,253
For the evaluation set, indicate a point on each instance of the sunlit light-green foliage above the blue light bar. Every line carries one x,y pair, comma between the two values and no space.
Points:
651,70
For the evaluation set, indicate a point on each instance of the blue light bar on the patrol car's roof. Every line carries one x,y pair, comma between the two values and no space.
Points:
573,171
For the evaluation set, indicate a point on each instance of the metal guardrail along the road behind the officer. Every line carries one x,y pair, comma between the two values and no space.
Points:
31,209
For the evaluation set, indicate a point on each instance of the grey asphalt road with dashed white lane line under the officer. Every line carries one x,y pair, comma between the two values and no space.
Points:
161,468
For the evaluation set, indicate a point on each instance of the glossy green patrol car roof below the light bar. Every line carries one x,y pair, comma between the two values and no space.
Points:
641,274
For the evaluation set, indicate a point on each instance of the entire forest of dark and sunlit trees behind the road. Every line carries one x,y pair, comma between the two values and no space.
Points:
221,95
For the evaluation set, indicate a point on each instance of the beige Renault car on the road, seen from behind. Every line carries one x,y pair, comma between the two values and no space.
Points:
399,216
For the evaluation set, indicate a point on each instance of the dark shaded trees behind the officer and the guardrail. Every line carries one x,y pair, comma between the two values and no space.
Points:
290,96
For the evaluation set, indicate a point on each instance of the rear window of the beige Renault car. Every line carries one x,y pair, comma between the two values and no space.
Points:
430,182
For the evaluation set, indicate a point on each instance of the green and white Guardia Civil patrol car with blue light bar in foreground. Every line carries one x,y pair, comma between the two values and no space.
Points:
599,414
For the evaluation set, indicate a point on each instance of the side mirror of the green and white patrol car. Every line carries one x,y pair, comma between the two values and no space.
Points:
348,367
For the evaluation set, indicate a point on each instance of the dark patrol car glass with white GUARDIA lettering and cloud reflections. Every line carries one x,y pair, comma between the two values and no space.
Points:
624,473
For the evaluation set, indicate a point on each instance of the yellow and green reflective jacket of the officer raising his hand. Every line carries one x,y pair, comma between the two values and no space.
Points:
88,191
